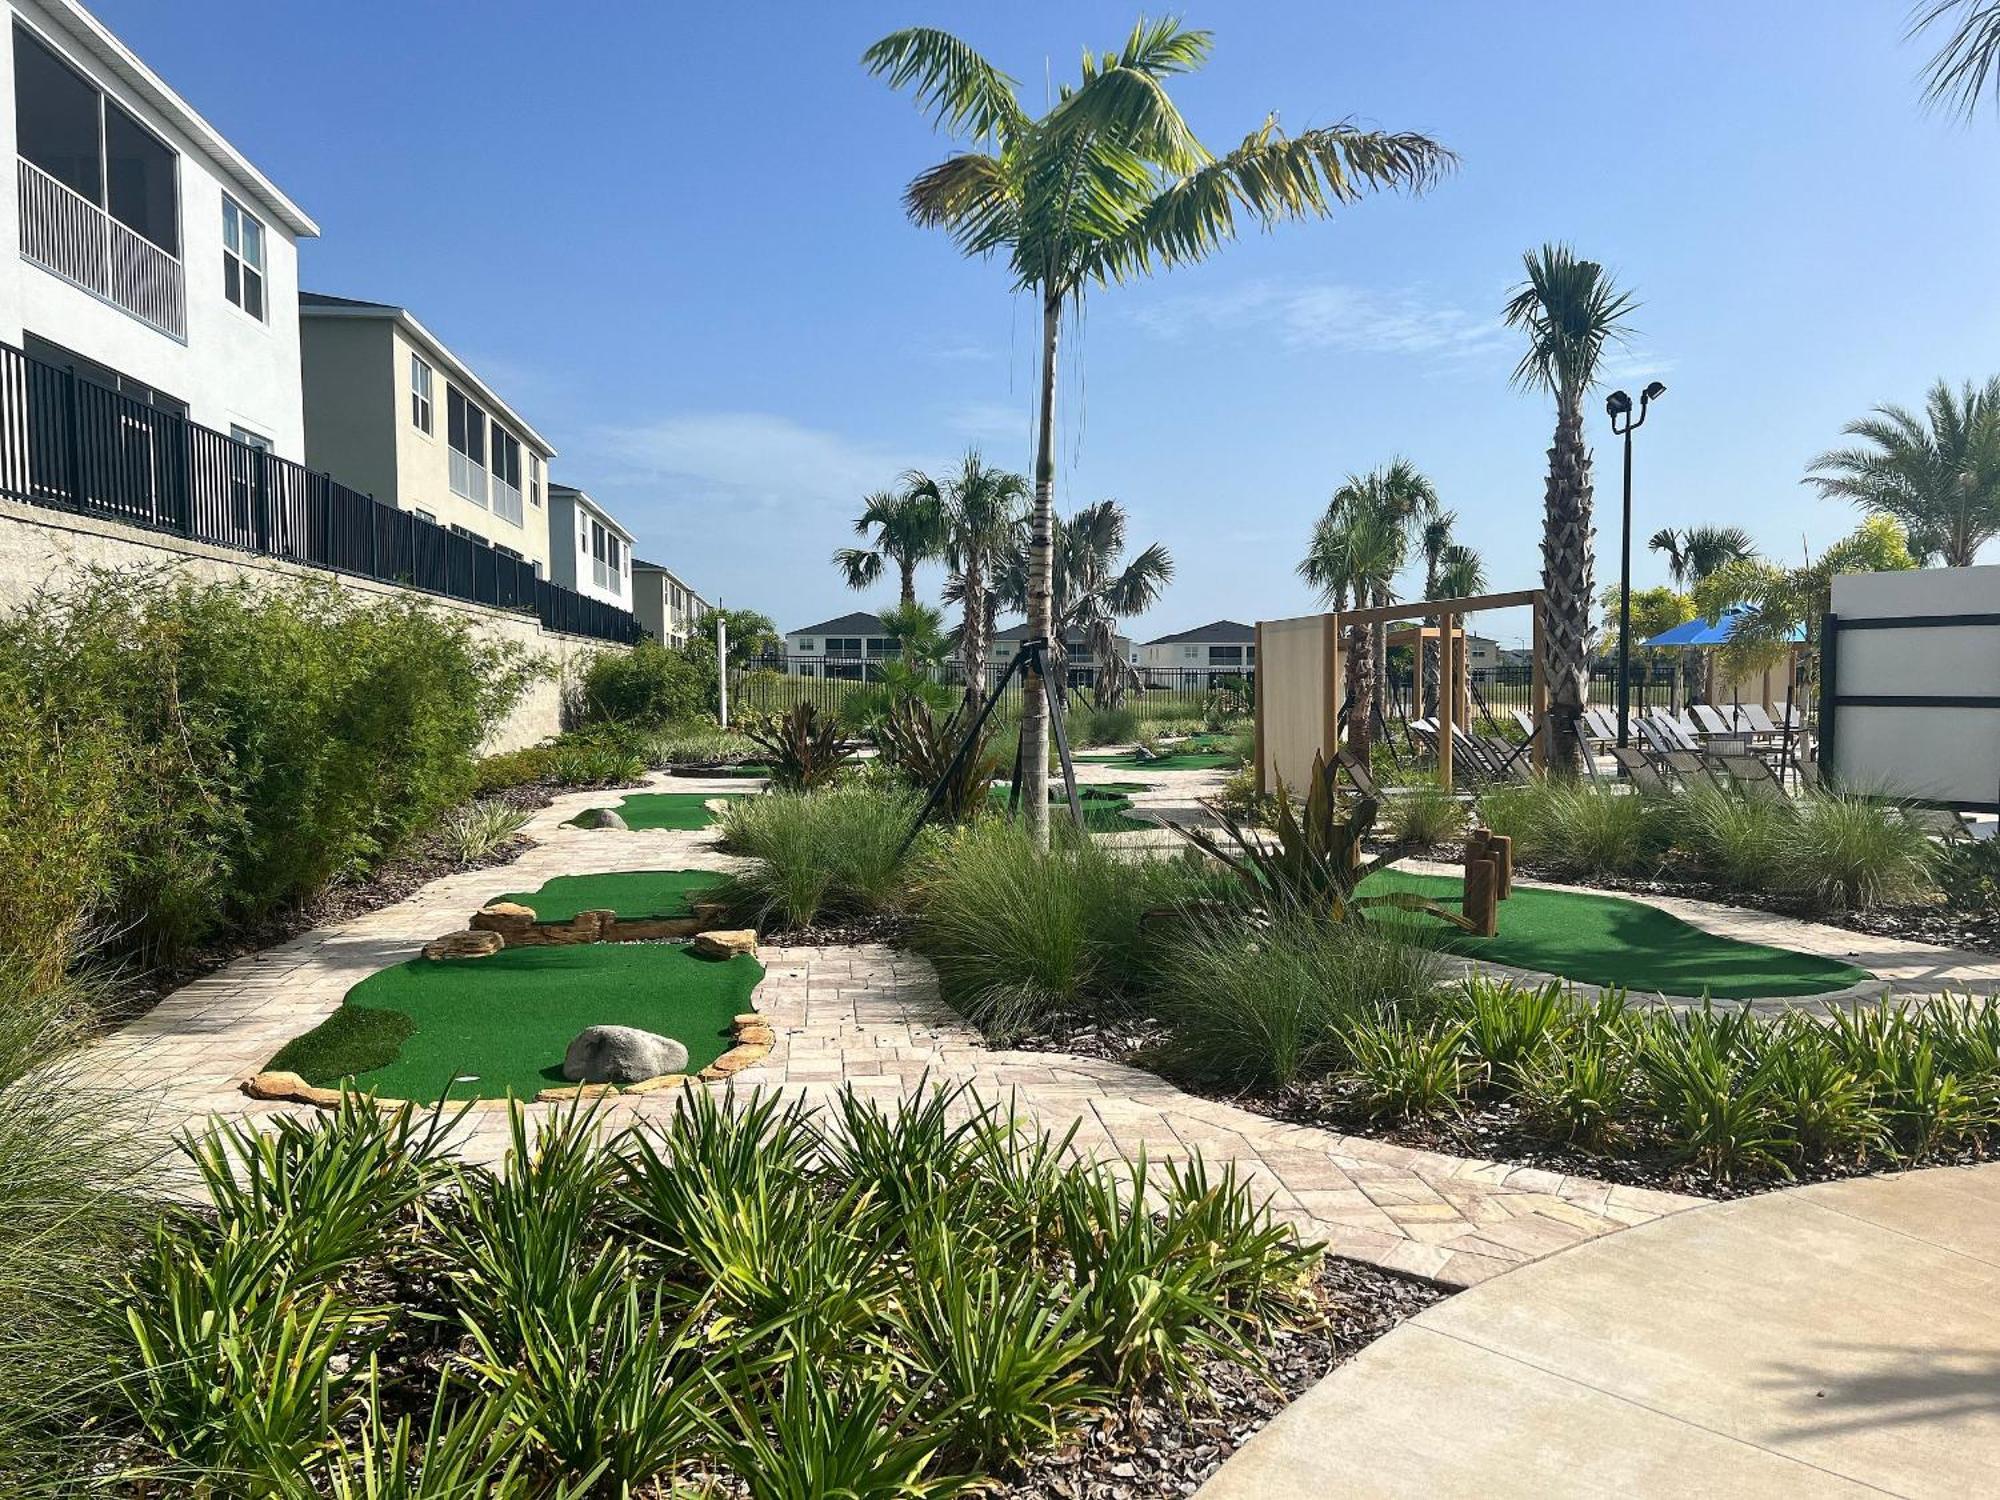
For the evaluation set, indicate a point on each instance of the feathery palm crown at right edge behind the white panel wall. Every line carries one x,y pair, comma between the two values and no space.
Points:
1937,475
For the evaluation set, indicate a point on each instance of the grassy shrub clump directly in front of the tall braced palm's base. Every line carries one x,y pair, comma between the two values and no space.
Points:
1023,937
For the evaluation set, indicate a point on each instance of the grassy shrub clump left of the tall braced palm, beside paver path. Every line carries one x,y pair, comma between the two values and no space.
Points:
833,853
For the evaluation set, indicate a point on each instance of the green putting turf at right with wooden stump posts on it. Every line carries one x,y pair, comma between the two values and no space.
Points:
1621,943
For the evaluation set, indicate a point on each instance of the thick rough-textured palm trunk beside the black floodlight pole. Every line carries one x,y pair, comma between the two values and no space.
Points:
1567,577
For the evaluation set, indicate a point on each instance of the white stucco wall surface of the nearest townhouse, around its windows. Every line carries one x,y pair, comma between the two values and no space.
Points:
233,369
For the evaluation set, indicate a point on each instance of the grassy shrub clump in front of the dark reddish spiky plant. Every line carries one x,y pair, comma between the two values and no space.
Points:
1267,1007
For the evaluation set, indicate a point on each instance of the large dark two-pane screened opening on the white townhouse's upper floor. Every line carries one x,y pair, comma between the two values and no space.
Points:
93,147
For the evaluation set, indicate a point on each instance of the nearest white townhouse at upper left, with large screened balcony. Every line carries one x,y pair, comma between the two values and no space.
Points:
139,249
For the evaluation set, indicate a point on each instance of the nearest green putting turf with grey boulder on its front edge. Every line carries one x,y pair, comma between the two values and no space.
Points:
507,1021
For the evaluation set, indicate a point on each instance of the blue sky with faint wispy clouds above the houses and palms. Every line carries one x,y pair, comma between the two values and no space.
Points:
673,237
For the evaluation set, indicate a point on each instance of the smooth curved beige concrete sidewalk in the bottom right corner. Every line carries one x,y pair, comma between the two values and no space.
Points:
1829,1341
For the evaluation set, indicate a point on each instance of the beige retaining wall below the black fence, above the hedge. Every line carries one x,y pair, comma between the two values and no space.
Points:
51,549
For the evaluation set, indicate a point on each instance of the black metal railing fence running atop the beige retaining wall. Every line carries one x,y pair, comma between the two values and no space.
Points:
73,445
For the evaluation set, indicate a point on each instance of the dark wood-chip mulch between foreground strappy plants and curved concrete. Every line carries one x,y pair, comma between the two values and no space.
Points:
1167,1451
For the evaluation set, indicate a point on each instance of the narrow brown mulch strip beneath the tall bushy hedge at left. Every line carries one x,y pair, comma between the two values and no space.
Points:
393,881
